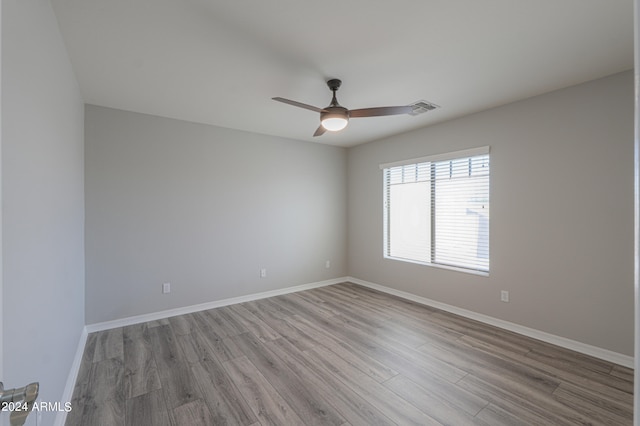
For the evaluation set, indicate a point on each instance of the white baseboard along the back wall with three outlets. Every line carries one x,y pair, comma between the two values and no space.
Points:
91,328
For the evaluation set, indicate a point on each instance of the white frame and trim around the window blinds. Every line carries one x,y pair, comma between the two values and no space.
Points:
416,161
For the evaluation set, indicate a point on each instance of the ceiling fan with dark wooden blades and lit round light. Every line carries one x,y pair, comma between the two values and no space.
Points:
336,117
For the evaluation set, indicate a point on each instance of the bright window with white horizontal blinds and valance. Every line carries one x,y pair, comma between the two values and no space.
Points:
436,210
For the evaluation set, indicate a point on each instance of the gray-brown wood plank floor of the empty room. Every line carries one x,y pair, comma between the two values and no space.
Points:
339,355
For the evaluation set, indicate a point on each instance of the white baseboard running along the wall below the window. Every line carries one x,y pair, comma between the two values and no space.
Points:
594,351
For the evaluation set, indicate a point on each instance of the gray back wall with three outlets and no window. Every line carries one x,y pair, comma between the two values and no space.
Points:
204,208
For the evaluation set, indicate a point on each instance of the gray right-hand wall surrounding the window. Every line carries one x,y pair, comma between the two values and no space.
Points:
561,213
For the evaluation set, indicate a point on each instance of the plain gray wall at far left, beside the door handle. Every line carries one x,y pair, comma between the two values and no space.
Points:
42,202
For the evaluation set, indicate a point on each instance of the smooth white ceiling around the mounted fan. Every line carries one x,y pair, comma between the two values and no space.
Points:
221,61
